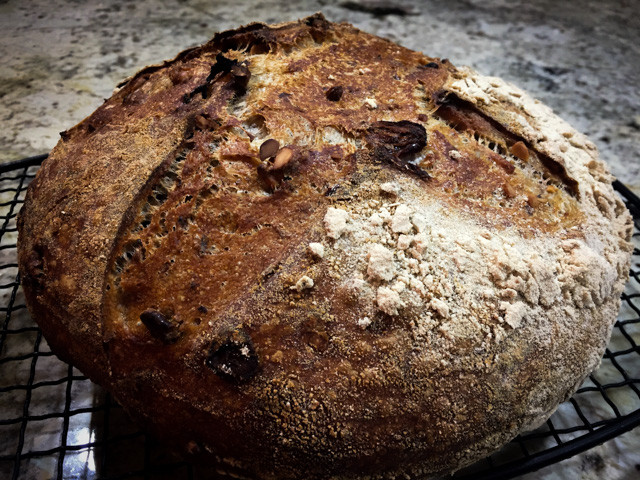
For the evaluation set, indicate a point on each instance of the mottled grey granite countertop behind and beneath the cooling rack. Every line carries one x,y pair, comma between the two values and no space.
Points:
61,58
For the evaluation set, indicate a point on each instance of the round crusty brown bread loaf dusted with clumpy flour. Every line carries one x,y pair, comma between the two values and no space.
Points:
302,251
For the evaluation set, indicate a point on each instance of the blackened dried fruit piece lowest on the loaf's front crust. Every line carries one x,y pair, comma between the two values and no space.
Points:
234,359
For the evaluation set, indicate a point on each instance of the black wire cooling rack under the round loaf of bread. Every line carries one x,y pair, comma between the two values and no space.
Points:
55,423
